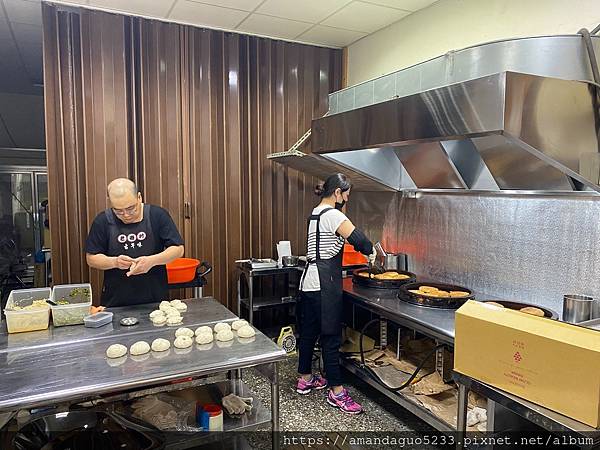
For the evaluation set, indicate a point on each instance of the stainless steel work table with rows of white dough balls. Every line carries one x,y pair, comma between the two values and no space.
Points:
68,364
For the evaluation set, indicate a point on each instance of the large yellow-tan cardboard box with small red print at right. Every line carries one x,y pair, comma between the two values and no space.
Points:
551,363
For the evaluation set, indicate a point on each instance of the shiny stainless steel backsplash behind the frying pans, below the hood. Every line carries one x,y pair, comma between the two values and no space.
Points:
532,249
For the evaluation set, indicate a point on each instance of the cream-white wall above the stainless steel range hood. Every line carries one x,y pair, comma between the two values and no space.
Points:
455,24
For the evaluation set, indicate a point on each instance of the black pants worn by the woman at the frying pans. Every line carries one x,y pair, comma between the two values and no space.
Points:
308,310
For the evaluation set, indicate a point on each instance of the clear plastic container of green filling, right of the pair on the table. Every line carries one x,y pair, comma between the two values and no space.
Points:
78,307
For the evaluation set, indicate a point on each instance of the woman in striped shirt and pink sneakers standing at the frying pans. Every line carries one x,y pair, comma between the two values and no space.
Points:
320,305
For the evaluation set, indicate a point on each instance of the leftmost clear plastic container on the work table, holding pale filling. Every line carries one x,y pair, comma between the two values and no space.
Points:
19,321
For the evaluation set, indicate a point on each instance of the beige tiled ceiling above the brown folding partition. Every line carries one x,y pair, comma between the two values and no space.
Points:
332,23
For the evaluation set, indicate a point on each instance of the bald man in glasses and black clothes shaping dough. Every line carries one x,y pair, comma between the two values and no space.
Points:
132,242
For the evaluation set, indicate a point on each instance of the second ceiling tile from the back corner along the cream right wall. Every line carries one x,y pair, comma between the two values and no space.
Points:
365,17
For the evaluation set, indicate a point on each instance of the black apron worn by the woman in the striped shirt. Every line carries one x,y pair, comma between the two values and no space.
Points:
330,280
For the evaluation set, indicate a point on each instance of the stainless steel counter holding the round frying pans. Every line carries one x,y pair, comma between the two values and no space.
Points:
434,322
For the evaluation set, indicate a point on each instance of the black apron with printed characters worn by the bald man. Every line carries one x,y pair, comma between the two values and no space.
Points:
133,240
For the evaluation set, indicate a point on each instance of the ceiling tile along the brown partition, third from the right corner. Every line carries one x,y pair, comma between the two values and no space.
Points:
208,15
